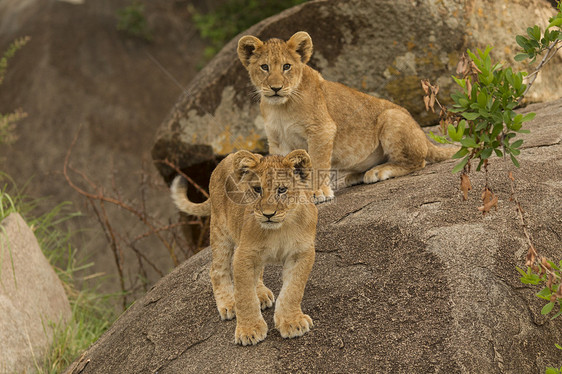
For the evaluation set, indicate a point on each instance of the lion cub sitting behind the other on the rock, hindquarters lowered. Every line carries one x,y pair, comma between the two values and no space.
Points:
341,128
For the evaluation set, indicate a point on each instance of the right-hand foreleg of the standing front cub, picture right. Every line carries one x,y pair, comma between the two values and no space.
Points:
289,318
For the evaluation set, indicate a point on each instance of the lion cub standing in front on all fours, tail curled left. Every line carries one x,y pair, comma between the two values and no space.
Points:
262,211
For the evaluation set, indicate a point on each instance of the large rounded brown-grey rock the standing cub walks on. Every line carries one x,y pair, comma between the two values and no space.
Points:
408,279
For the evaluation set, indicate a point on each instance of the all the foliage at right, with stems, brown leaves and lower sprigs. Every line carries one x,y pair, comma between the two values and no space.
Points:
483,121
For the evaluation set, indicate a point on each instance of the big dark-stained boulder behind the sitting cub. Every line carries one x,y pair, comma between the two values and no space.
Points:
382,47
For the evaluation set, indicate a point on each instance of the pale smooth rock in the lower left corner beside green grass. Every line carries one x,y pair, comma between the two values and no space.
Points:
31,297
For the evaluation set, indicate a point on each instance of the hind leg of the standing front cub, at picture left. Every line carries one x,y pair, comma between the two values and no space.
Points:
221,278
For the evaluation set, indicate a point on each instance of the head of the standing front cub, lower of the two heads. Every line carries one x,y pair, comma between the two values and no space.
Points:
275,187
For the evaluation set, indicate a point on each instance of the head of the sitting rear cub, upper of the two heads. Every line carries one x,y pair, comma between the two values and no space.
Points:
275,66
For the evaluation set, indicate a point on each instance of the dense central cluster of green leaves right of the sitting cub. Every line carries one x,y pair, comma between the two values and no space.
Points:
485,121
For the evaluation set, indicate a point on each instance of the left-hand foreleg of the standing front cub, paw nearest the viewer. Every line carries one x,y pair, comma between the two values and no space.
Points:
250,325
